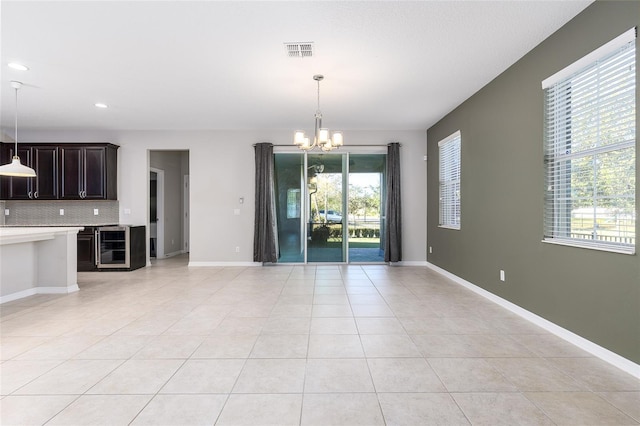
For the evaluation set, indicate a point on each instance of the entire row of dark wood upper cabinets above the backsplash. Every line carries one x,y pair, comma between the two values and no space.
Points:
64,171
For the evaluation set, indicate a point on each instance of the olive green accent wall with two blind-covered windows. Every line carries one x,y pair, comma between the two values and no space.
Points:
594,294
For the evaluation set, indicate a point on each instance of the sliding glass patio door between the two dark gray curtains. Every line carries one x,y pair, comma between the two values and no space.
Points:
330,207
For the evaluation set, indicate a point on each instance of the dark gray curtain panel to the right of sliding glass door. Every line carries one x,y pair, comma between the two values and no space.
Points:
393,231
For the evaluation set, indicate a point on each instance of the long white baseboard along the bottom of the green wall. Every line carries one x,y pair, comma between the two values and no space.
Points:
605,354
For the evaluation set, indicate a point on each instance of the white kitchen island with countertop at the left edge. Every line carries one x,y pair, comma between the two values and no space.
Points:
37,260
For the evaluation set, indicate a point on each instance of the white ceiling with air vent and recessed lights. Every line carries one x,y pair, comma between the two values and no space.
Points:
223,65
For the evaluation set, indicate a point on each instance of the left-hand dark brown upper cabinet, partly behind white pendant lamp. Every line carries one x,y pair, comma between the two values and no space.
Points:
44,160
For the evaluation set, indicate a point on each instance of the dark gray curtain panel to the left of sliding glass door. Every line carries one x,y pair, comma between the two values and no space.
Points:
265,244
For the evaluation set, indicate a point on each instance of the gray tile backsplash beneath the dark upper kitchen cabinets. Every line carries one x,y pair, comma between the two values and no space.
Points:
47,213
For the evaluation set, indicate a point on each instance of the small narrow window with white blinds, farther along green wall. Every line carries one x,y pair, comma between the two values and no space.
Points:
449,151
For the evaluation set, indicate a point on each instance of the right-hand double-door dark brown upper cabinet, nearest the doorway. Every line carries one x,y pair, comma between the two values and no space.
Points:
88,172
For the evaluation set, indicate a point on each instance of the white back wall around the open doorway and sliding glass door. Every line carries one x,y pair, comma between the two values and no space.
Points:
221,168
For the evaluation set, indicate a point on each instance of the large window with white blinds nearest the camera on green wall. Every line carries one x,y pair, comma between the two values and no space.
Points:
590,150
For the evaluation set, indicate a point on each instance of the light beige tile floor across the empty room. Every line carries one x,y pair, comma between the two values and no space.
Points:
299,345
